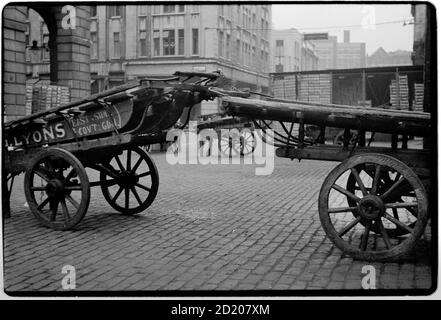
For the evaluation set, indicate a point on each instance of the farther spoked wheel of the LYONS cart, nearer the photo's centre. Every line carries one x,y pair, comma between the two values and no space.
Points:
129,181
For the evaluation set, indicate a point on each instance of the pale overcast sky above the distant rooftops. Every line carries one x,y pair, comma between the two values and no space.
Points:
320,17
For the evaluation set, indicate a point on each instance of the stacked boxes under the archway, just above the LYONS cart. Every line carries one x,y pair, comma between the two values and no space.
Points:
43,97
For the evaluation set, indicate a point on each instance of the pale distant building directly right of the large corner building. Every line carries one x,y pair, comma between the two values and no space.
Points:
290,52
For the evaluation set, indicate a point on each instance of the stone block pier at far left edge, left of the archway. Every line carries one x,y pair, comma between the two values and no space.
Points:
14,67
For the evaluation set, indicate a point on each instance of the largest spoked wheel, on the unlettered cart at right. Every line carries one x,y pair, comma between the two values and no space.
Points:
383,219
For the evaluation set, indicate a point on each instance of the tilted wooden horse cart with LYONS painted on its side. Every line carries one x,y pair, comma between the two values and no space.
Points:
102,132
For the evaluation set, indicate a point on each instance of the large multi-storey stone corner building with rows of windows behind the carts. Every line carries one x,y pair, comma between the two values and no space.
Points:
135,41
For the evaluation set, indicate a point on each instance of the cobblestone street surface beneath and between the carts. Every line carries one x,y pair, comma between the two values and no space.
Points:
210,228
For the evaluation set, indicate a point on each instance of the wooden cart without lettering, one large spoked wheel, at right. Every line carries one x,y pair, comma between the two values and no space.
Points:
374,204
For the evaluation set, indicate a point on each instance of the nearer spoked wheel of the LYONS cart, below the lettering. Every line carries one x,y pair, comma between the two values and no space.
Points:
57,189
